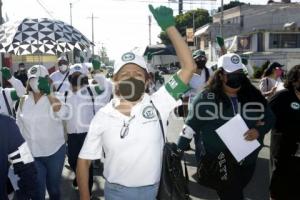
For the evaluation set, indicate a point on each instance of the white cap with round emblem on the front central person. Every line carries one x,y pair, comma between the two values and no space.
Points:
130,57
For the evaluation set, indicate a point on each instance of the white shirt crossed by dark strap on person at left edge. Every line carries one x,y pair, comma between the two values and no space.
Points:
20,89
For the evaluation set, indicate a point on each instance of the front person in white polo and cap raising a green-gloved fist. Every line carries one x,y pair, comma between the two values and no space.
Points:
128,128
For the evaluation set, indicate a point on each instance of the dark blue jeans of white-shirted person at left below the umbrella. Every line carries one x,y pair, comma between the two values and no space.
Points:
49,170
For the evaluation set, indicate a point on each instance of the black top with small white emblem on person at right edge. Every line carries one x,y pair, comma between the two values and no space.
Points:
286,107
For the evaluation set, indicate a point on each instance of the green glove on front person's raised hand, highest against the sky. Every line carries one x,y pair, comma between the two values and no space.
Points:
164,16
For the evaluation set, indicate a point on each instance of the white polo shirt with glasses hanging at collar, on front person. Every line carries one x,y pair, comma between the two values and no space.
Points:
136,159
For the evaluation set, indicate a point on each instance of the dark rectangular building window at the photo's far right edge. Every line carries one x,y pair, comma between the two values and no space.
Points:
284,40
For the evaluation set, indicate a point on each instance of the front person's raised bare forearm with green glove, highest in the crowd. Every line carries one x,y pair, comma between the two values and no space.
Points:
165,19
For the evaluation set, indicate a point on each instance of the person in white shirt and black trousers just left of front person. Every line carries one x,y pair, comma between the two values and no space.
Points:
83,100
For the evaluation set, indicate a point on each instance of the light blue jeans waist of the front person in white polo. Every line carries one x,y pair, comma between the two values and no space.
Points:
119,192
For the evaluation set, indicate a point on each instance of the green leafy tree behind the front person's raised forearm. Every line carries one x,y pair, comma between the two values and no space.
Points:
183,21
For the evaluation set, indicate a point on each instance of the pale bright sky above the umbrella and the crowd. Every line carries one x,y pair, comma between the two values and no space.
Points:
119,25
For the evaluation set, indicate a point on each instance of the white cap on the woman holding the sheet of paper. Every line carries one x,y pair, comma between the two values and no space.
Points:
230,62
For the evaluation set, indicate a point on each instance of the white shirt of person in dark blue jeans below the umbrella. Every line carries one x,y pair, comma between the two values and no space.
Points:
40,126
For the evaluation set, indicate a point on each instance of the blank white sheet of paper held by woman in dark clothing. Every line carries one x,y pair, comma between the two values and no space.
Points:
232,134
